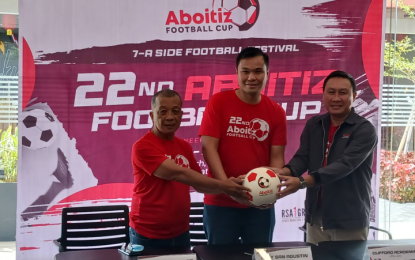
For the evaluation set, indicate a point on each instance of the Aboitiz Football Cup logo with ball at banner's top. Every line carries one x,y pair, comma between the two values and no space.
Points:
224,15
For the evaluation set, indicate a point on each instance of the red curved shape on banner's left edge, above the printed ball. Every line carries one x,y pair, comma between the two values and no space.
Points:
29,74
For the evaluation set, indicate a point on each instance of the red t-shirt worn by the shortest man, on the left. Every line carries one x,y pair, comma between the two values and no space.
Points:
160,208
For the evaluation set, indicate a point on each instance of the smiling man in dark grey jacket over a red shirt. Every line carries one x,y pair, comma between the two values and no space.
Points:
336,149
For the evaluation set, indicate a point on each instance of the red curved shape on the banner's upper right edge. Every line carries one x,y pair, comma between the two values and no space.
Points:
372,44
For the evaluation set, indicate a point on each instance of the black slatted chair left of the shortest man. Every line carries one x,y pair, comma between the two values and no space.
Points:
95,227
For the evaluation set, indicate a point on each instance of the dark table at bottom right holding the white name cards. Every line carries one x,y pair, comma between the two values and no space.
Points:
331,250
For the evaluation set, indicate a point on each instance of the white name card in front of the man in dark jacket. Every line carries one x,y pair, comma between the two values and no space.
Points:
402,252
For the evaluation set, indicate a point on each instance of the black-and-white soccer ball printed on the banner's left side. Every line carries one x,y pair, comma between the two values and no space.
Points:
39,129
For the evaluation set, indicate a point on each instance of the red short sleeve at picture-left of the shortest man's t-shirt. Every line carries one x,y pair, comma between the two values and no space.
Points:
147,156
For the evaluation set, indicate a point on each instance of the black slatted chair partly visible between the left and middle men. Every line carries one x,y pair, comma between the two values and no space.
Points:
197,233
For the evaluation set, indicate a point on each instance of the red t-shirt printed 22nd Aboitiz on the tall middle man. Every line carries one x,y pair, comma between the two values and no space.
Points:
246,134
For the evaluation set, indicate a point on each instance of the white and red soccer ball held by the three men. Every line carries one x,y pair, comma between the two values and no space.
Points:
263,184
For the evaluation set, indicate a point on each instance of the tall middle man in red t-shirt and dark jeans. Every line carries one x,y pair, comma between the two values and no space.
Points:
242,130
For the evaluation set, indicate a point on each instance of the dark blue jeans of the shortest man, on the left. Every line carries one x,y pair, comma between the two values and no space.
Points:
181,240
